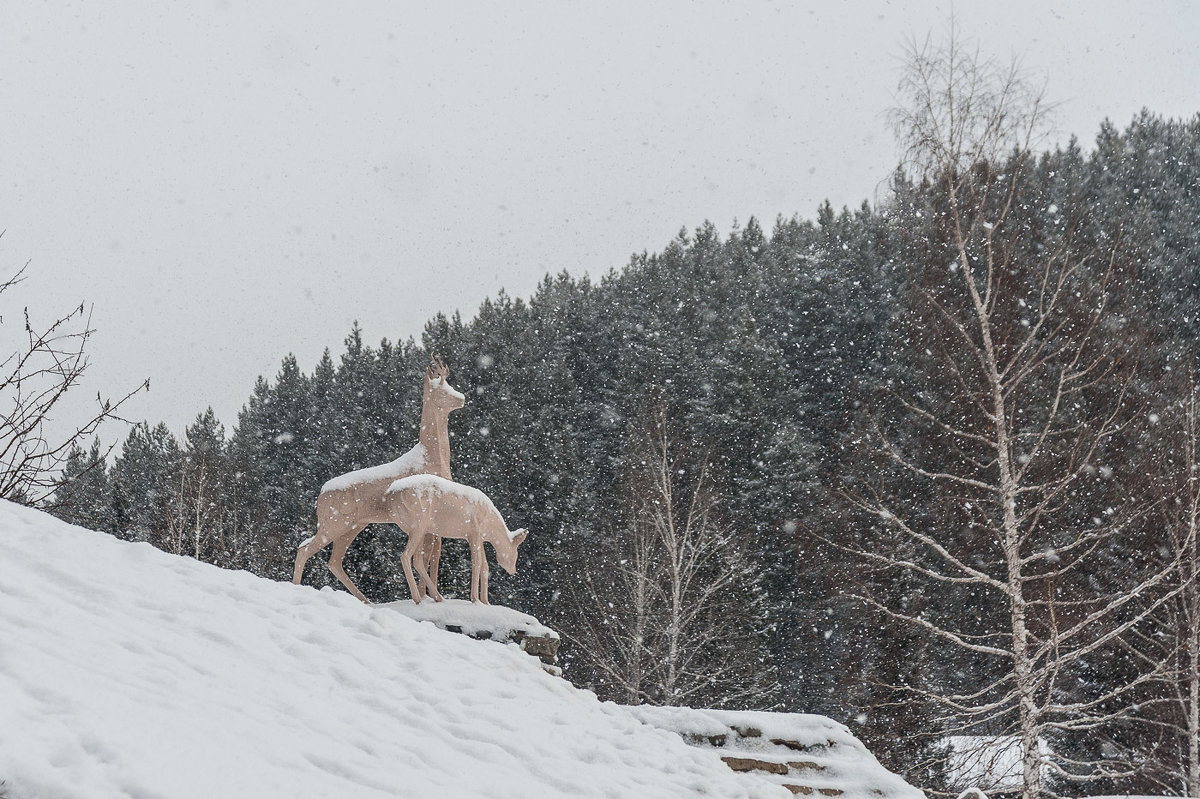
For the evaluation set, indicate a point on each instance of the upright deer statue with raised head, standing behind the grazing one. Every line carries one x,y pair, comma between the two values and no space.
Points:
351,502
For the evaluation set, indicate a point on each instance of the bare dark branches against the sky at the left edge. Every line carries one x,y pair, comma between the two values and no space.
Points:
47,362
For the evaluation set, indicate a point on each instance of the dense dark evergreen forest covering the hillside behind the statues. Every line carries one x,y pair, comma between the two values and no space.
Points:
790,379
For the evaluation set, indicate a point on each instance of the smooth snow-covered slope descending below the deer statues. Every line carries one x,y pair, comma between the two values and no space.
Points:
128,672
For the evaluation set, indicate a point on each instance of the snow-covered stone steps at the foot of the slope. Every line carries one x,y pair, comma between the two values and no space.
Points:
820,754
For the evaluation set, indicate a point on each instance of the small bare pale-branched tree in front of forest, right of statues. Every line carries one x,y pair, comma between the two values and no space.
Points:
669,614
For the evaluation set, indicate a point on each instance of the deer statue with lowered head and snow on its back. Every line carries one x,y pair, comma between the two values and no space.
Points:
427,506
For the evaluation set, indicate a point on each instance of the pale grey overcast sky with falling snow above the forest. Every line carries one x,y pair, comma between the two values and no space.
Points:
230,183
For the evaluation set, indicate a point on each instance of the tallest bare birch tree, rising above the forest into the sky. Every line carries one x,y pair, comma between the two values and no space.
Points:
1023,391
